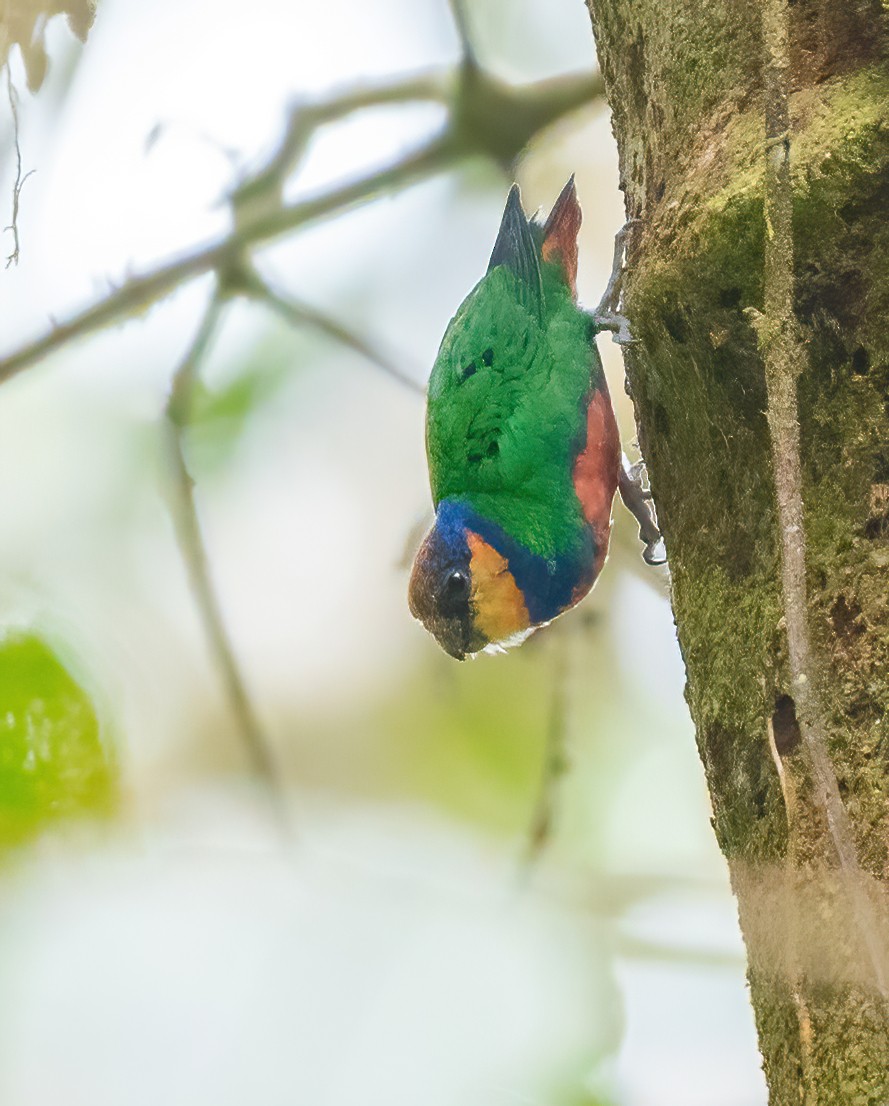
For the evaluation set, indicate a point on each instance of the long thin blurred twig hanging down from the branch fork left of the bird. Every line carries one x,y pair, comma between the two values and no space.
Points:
194,551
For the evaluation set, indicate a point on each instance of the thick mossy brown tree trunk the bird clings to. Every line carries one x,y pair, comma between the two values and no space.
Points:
687,88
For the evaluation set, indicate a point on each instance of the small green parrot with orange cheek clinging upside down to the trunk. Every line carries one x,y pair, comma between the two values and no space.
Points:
525,452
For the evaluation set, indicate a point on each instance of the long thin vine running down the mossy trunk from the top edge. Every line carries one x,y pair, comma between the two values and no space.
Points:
785,356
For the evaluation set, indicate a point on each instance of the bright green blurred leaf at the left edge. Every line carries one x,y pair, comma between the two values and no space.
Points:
54,764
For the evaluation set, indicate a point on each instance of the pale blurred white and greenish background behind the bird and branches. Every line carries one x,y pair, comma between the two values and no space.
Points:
399,952
